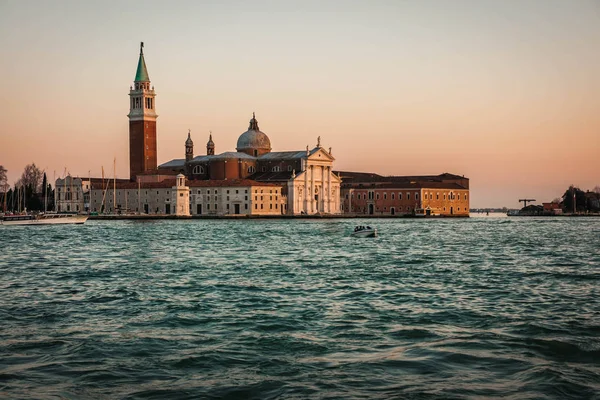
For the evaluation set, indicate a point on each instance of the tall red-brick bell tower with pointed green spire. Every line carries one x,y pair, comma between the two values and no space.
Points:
142,122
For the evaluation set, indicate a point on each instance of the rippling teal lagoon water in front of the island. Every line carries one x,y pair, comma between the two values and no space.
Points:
440,308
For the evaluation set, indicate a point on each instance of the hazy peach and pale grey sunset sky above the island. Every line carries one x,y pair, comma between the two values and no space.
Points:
506,93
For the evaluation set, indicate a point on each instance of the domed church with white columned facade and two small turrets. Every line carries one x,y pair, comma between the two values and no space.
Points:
305,177
